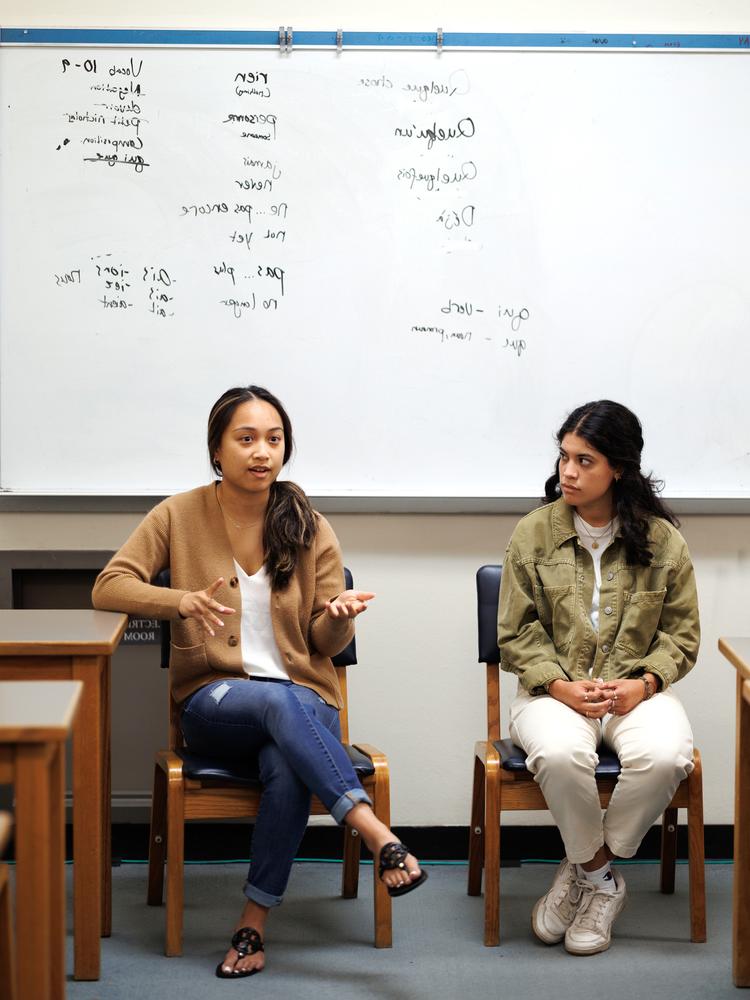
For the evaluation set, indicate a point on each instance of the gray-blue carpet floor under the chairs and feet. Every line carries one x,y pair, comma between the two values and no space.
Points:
320,945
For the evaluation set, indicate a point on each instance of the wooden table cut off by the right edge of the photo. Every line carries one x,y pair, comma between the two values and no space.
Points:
737,651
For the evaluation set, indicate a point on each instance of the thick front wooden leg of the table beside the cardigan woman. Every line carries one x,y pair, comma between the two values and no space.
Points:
88,777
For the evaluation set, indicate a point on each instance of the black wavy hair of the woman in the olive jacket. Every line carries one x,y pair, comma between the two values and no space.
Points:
616,432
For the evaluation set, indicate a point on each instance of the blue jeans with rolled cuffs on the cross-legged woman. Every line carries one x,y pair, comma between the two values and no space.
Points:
297,740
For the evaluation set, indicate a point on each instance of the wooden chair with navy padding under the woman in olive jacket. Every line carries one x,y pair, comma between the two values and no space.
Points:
501,781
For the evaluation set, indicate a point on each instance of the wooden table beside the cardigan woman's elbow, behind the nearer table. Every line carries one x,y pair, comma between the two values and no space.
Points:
77,645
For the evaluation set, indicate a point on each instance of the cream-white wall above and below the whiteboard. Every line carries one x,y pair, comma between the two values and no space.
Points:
419,693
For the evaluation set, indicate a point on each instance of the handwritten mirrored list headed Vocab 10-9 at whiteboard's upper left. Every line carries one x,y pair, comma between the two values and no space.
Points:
109,113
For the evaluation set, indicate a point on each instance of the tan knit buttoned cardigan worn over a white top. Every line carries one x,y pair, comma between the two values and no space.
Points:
186,534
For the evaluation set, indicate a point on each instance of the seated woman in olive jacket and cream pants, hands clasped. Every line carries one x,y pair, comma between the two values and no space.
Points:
598,618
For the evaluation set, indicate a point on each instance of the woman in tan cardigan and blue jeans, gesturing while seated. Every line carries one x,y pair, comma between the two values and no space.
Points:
257,596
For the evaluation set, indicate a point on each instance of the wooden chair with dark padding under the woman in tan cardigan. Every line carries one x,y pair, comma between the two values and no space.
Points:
188,786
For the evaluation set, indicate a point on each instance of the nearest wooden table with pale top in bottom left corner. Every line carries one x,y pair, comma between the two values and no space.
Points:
35,721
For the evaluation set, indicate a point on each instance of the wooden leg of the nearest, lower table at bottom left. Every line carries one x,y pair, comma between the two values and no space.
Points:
37,885
